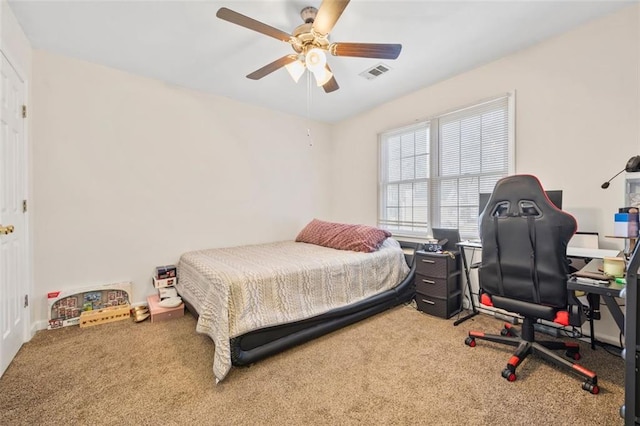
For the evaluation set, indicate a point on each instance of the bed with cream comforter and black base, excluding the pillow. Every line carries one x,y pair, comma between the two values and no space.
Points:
257,300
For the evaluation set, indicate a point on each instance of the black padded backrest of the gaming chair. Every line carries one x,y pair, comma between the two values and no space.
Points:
524,244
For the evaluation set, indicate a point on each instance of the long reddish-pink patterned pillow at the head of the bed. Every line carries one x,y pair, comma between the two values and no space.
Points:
343,236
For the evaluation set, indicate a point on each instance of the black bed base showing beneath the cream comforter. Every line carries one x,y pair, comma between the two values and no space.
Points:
259,344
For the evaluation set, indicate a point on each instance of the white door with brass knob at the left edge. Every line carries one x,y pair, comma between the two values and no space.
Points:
13,233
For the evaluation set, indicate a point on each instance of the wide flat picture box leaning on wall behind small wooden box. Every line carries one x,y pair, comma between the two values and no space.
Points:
66,306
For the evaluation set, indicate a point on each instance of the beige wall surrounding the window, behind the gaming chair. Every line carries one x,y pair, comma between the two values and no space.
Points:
577,120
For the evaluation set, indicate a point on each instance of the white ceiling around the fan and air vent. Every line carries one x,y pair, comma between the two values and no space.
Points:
183,43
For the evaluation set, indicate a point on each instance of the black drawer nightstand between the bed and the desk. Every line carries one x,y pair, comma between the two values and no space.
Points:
438,284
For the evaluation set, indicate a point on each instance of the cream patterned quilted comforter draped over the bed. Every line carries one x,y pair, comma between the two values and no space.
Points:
239,289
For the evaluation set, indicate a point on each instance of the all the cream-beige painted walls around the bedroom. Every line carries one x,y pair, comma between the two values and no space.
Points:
129,172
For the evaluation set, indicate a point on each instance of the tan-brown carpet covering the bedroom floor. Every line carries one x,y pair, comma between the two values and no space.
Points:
401,367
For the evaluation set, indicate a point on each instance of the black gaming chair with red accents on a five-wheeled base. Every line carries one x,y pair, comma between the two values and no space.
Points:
524,270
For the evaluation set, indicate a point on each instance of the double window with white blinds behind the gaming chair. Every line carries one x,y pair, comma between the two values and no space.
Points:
431,173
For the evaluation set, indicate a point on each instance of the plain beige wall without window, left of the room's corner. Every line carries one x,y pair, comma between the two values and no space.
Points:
130,172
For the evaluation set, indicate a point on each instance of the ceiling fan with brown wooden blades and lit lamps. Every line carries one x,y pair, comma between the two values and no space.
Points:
310,41
